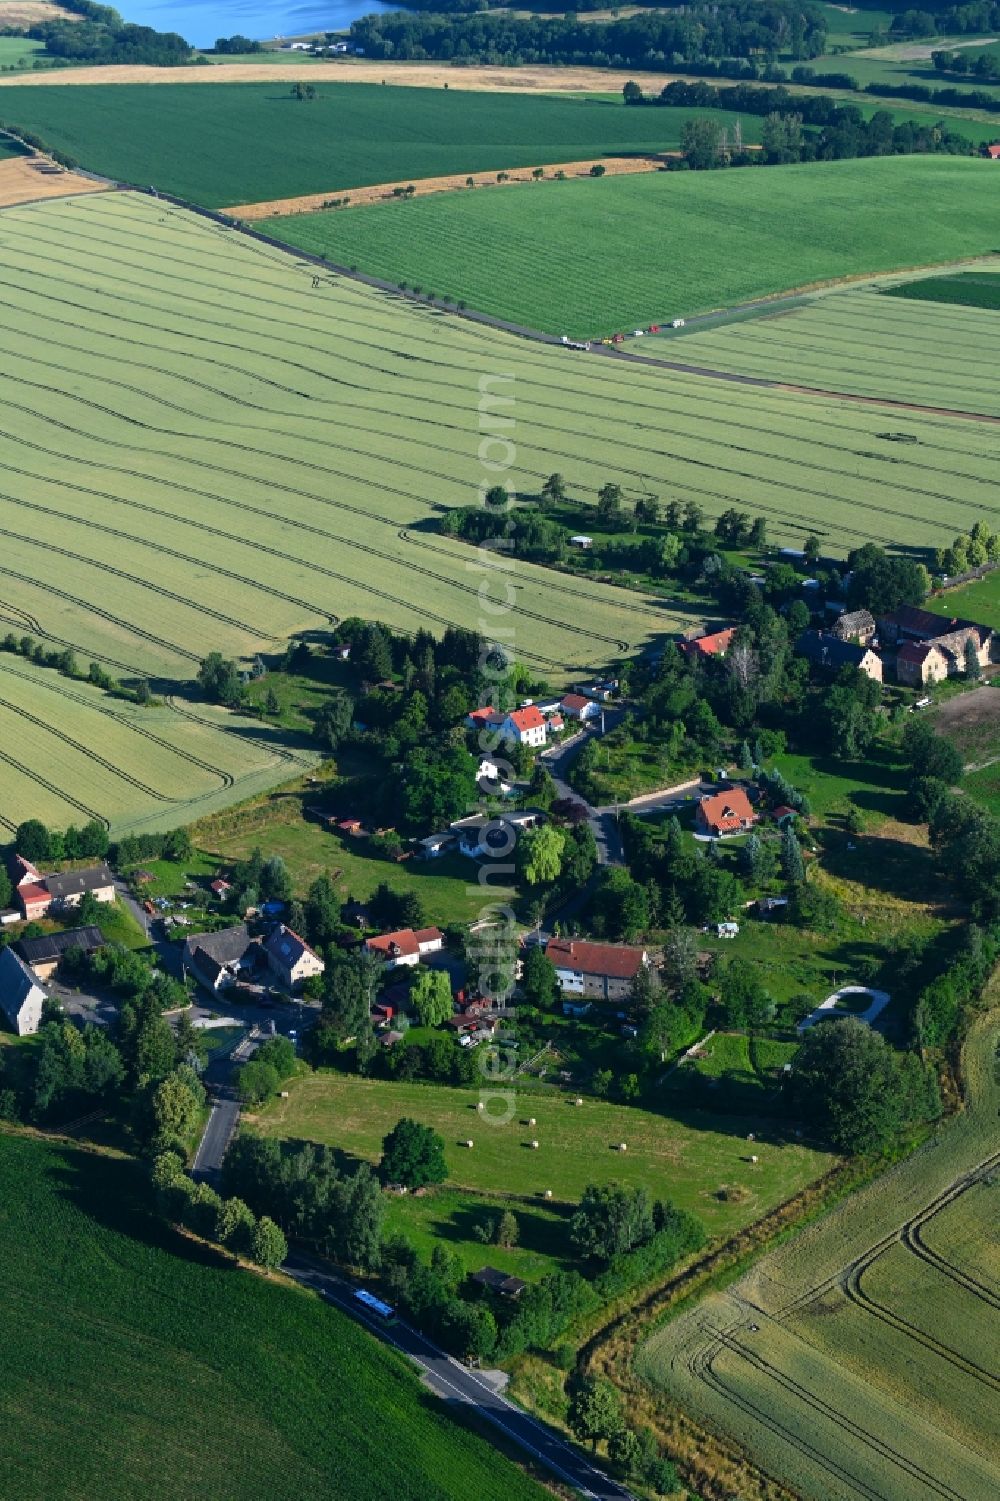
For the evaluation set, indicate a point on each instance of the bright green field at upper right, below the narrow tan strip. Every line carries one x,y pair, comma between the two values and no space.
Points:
664,245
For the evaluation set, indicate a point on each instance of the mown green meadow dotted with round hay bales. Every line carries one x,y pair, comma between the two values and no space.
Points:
682,1158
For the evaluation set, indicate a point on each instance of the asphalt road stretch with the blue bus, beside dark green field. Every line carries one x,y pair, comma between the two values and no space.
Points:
456,1383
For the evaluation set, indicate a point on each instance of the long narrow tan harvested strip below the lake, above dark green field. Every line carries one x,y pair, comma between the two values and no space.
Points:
354,71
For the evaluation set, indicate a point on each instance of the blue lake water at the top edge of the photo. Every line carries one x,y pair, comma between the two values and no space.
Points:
202,22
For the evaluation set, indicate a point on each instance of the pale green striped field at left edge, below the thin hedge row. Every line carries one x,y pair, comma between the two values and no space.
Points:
71,753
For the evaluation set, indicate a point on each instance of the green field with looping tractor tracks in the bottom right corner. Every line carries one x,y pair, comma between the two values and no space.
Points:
861,1358
